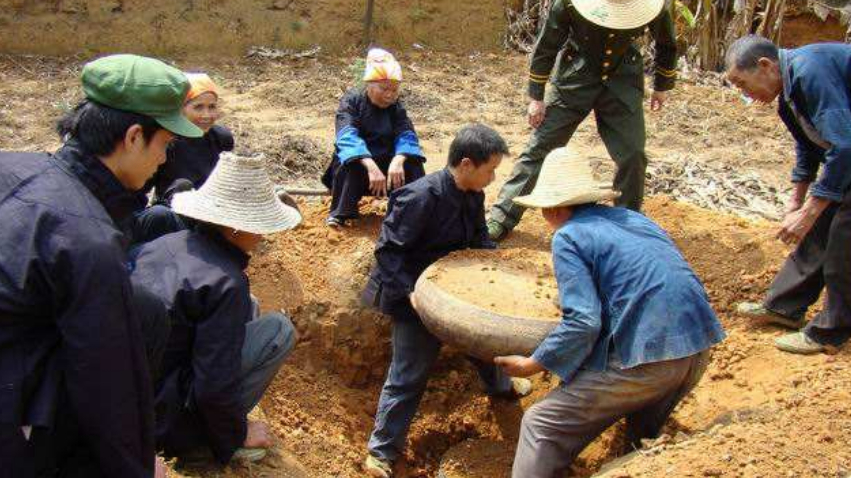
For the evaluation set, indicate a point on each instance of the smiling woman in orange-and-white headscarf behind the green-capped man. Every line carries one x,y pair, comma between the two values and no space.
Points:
189,162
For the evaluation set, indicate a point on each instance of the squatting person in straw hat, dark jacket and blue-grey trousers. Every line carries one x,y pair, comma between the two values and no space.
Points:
221,354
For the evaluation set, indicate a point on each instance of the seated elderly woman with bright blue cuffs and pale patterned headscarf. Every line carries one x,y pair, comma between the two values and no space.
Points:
376,148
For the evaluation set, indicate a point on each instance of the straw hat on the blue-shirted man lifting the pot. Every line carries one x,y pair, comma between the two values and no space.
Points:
566,179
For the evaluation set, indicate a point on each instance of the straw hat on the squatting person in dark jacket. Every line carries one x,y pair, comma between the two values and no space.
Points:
240,195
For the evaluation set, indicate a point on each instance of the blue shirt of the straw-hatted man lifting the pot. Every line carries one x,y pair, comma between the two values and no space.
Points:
625,289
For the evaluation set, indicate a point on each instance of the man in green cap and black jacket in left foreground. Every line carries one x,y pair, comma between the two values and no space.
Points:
75,338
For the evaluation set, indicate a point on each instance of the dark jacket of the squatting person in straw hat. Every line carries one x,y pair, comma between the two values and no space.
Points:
201,279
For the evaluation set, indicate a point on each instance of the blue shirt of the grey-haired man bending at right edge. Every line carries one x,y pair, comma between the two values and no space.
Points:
816,107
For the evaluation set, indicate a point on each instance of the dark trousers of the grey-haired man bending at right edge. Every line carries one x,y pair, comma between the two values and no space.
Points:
821,261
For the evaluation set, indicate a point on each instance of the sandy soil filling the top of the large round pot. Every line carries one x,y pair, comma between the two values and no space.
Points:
506,282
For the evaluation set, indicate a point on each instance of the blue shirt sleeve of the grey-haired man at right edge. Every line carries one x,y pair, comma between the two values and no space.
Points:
827,103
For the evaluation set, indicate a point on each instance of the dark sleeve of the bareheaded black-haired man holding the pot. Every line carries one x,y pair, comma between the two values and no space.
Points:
407,218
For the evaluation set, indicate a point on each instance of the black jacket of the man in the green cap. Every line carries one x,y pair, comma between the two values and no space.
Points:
67,328
